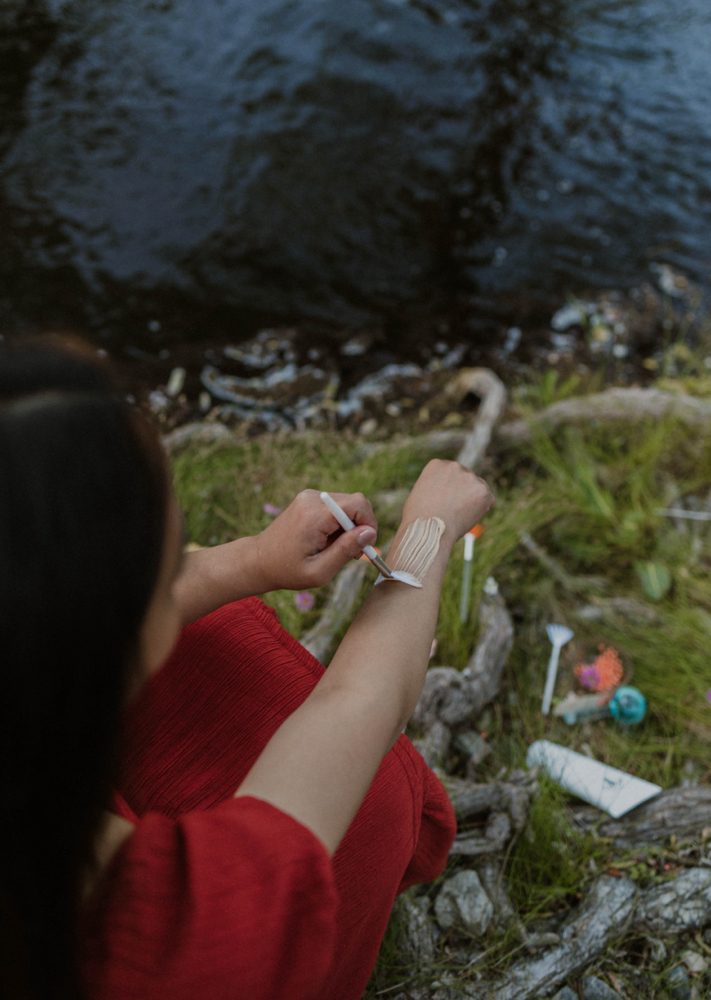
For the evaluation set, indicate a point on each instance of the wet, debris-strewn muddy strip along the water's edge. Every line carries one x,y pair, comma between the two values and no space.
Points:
295,377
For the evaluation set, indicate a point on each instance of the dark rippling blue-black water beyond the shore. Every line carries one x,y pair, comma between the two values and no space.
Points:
207,162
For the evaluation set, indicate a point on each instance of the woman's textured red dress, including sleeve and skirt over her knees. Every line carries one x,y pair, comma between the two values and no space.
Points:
217,898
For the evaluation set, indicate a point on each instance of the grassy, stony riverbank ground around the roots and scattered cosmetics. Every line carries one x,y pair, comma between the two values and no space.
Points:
604,561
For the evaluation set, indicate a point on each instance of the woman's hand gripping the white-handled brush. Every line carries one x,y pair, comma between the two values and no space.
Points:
305,546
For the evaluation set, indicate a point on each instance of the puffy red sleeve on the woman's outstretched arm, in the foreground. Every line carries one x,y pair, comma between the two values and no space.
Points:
233,902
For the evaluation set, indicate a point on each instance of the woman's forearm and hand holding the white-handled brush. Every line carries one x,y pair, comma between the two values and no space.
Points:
304,547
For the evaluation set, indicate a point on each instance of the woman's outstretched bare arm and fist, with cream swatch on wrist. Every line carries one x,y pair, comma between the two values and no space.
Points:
320,763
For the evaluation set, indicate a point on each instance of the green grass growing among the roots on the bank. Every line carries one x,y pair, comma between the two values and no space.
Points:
589,498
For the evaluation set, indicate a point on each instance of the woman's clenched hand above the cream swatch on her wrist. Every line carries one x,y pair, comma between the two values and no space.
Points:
448,490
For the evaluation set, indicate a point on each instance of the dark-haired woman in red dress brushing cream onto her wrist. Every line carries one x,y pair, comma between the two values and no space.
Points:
264,811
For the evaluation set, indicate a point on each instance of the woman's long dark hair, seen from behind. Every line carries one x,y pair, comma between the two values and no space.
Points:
83,496
